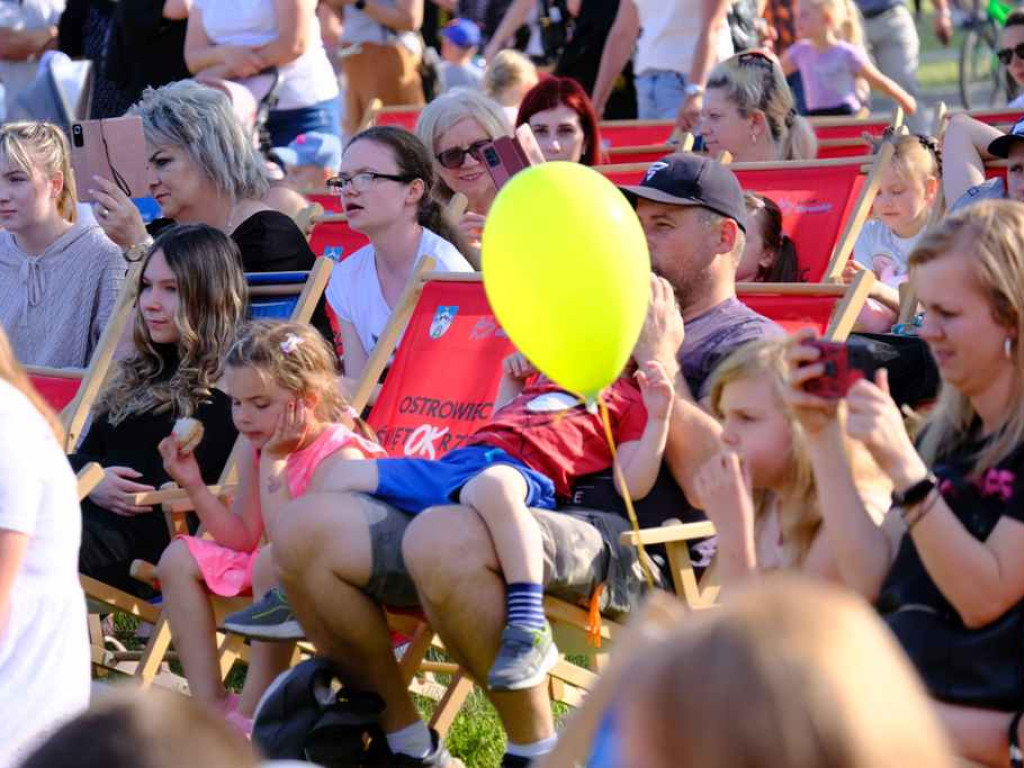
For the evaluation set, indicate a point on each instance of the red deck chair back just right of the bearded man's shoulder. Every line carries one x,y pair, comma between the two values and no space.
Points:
831,310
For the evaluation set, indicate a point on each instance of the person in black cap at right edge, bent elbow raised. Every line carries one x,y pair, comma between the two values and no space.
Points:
966,147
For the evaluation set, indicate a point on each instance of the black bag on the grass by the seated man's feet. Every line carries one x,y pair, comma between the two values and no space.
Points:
307,715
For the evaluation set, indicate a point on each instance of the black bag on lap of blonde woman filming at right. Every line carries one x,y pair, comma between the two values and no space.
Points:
975,668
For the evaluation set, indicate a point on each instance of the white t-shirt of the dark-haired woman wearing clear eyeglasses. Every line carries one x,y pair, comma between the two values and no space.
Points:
355,290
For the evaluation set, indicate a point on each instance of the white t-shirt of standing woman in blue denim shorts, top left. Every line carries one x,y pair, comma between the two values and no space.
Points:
307,81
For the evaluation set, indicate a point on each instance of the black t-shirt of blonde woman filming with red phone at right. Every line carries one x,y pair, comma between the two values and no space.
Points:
977,502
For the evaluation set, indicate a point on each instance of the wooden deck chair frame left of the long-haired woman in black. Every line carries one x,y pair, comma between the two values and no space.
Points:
76,414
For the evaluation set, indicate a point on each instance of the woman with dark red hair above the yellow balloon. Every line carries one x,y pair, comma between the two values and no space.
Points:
564,120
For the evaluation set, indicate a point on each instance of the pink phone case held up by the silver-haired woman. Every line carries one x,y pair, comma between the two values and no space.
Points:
114,150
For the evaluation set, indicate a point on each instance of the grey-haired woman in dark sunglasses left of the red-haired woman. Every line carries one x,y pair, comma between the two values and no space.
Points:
456,127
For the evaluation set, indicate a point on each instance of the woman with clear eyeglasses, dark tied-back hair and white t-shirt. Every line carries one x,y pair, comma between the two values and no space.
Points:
388,190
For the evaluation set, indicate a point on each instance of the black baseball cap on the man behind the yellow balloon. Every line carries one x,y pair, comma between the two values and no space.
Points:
689,180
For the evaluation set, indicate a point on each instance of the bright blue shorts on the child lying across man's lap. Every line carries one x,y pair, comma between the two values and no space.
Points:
416,485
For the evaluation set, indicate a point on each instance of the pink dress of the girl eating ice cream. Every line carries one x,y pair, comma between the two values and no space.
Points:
230,573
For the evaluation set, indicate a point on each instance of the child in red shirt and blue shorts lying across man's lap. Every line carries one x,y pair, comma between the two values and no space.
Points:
542,439
